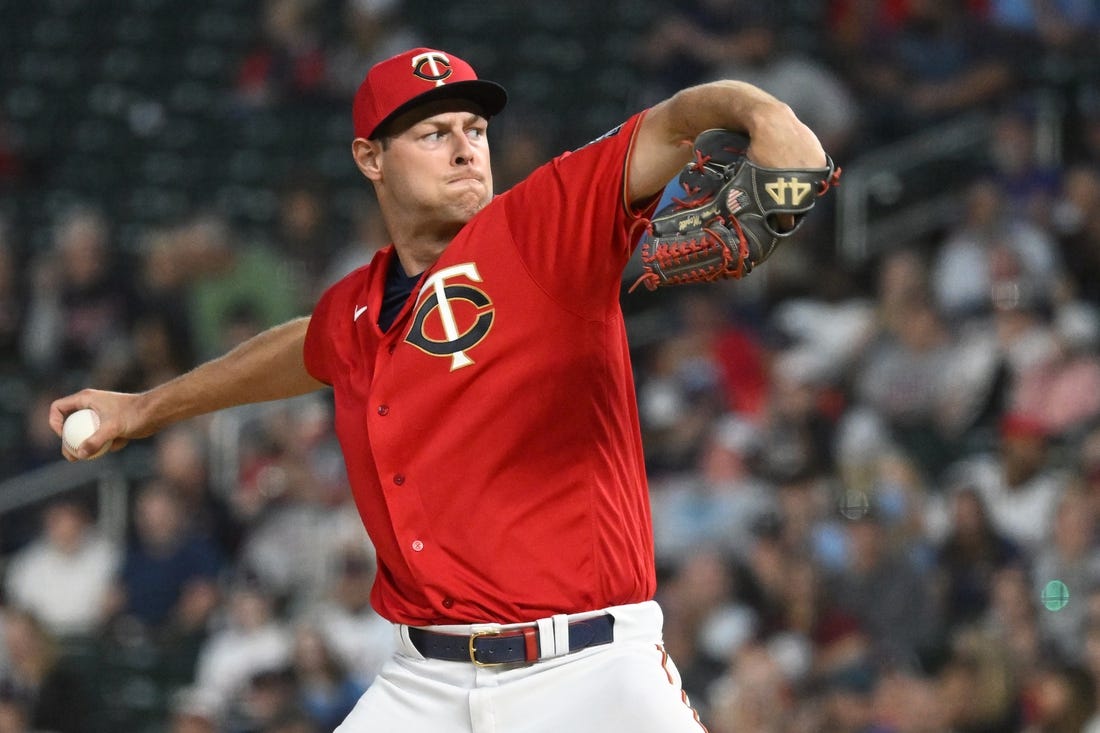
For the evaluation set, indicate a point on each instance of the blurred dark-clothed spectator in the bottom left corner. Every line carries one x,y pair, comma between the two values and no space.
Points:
59,699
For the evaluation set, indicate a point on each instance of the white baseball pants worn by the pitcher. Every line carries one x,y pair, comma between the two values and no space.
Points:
630,685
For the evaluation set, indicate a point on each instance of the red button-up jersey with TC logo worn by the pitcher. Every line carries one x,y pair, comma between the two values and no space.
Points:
491,435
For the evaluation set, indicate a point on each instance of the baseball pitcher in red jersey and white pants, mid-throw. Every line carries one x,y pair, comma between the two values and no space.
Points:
483,390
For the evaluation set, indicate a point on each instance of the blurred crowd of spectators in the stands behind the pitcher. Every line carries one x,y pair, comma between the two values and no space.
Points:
876,486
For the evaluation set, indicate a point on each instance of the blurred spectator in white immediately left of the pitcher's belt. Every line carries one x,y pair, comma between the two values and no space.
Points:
360,638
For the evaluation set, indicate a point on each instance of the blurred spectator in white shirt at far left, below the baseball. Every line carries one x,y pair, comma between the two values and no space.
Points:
64,577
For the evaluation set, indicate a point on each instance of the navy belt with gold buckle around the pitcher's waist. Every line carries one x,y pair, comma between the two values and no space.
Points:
511,647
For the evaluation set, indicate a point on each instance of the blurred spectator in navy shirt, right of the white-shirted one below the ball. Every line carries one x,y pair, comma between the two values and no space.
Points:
168,583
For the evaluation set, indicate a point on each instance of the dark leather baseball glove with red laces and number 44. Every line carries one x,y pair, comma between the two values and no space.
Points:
729,221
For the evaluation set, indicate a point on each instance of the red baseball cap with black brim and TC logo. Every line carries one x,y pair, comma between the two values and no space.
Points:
415,78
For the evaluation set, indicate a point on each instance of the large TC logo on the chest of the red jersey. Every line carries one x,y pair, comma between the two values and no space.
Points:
452,319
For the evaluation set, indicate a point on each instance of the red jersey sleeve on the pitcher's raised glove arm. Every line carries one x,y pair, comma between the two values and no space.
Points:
573,225
